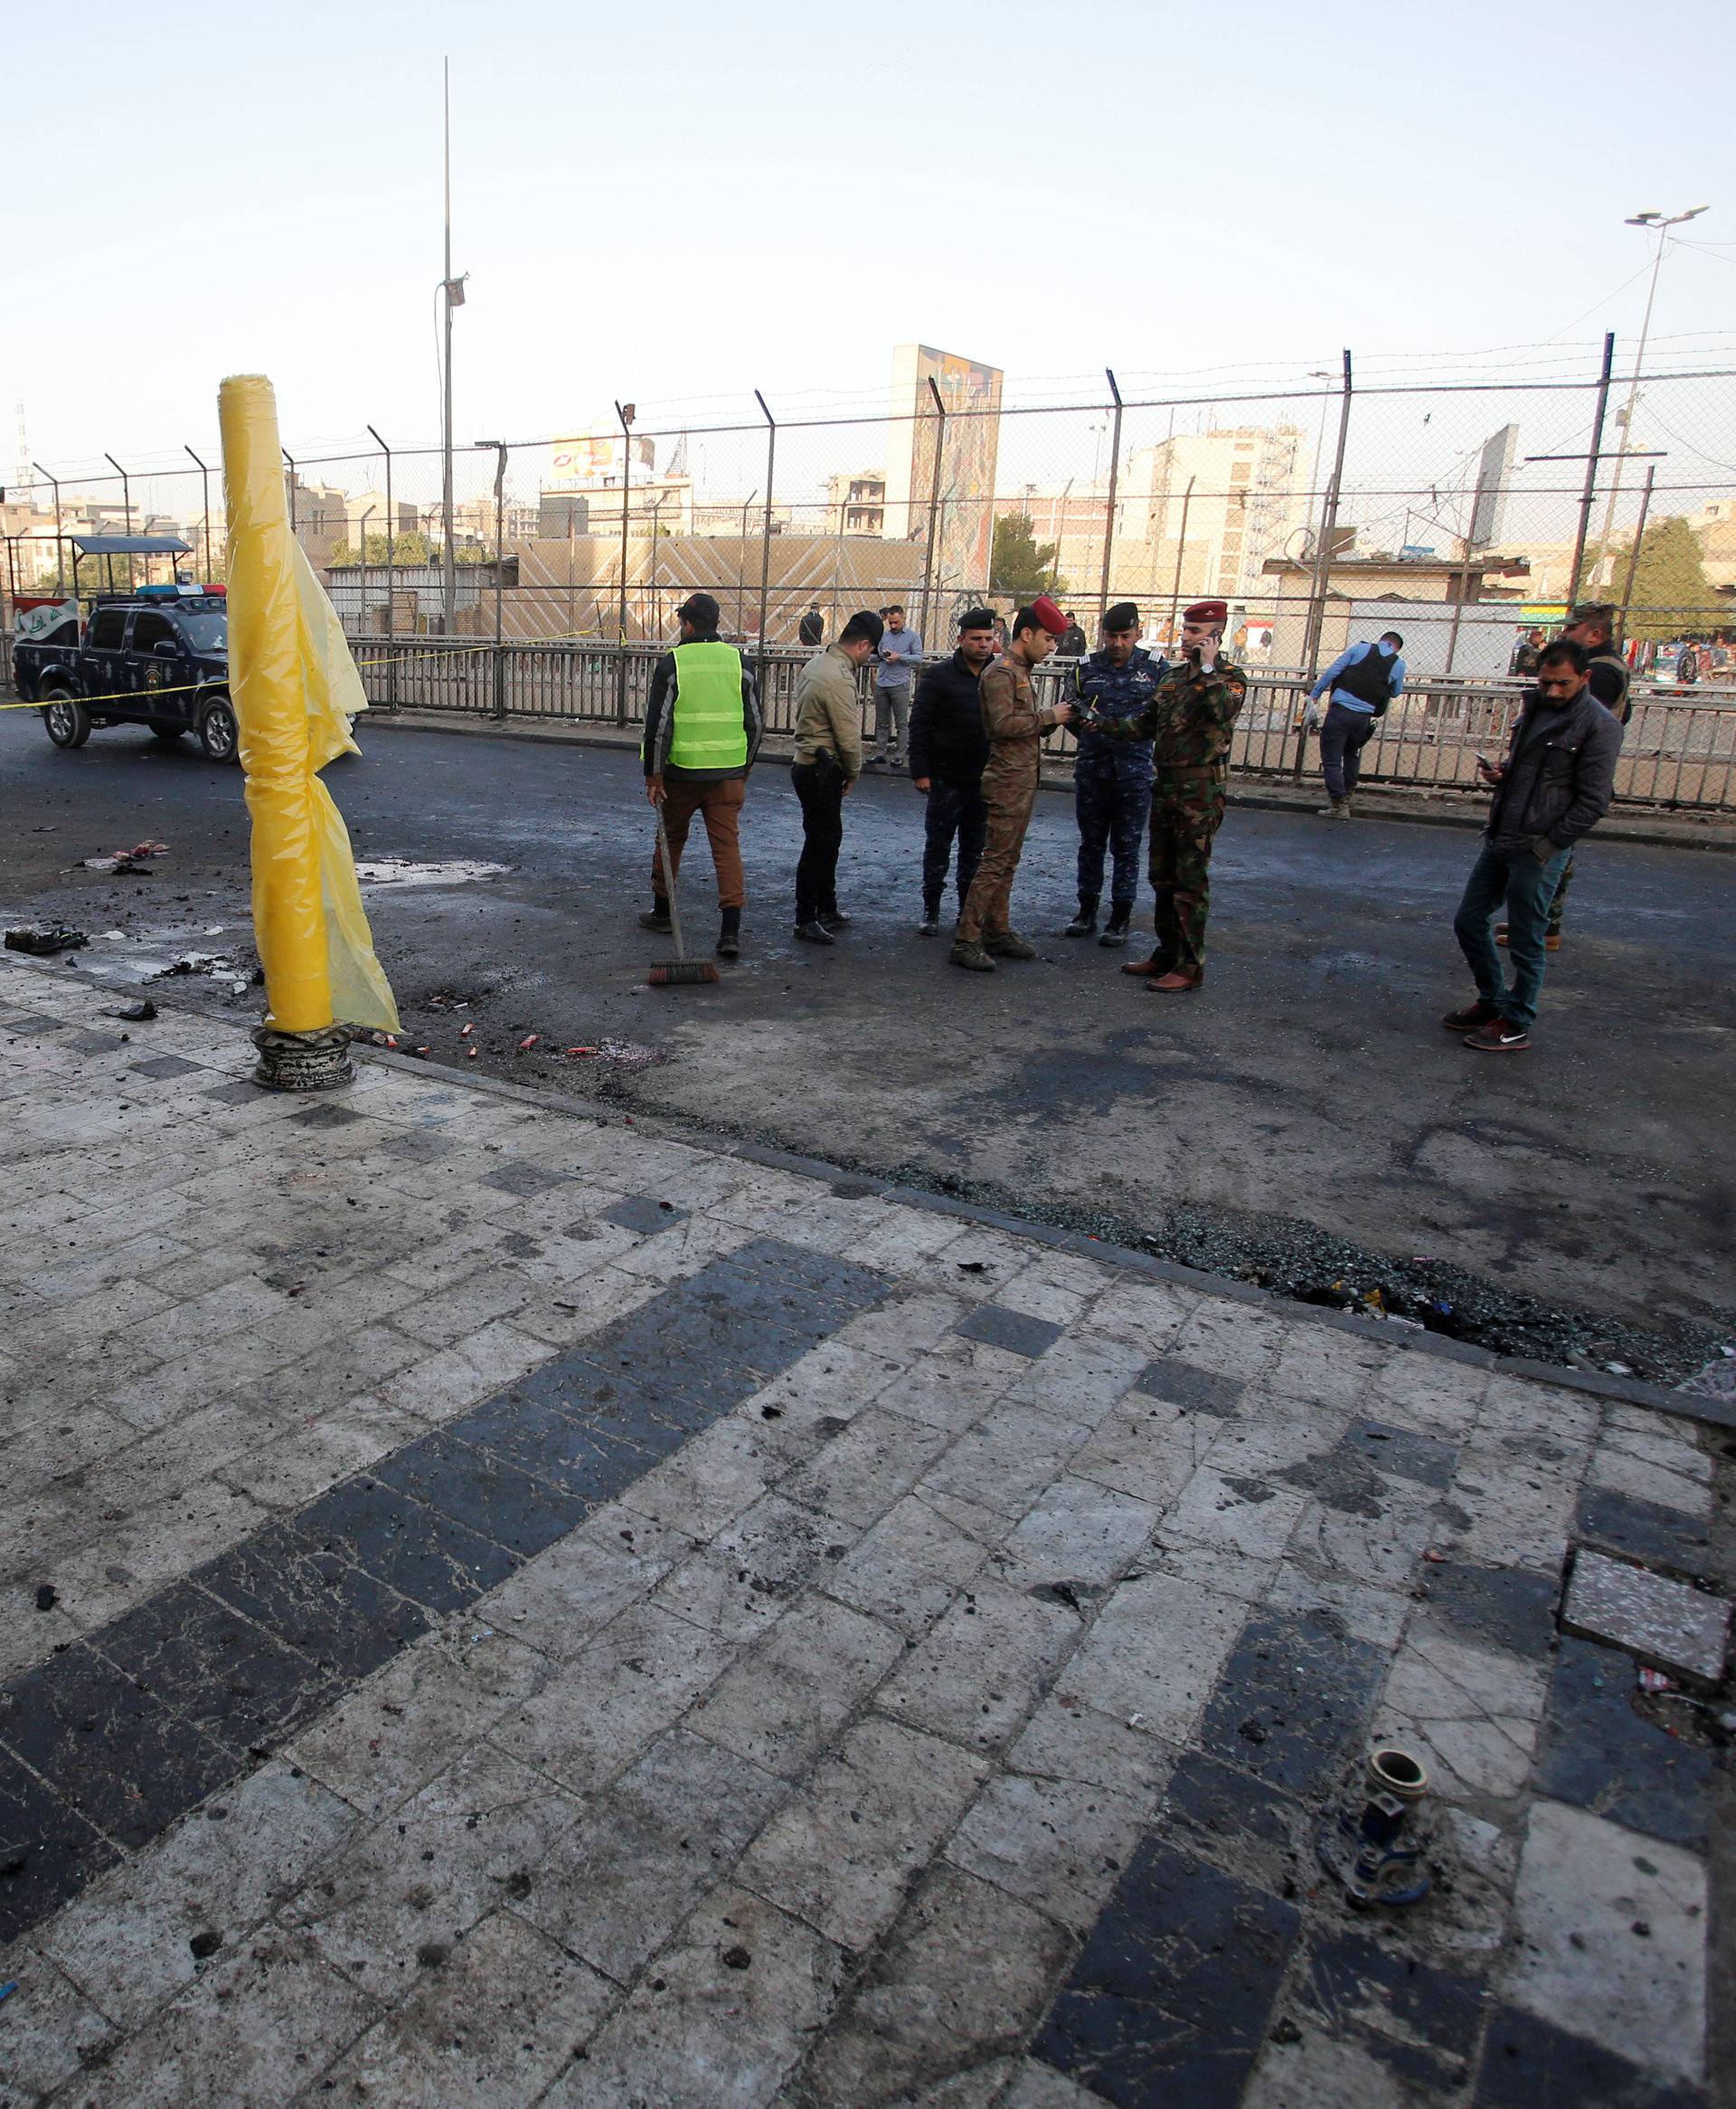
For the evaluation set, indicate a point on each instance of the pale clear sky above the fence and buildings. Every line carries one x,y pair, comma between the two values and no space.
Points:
674,204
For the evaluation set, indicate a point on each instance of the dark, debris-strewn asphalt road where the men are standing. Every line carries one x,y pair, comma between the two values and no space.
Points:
1309,1096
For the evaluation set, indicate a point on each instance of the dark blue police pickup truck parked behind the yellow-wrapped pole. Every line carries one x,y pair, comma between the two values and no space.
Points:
157,657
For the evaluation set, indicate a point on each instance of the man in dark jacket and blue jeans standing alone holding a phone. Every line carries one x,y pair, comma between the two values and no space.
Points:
1551,790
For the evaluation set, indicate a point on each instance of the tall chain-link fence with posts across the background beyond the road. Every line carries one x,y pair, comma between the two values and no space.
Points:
1463,514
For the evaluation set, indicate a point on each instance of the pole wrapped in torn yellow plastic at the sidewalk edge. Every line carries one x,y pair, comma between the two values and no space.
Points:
296,691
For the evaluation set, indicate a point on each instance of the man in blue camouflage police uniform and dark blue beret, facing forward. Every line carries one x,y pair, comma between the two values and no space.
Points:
1113,779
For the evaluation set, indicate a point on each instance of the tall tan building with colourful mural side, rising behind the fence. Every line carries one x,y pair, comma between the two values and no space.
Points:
963,497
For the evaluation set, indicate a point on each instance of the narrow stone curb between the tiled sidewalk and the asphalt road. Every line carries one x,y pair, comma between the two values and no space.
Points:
1619,1391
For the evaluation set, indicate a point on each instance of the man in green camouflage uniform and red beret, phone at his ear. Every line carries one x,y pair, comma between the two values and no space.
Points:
1189,722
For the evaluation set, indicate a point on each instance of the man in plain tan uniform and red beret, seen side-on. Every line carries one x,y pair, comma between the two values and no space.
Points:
1016,729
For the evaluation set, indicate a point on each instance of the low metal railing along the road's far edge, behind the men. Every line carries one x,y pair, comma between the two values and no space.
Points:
1678,754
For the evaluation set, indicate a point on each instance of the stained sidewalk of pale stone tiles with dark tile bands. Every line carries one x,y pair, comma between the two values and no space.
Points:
509,1608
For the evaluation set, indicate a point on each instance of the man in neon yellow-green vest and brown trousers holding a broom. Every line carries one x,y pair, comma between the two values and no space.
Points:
703,731
